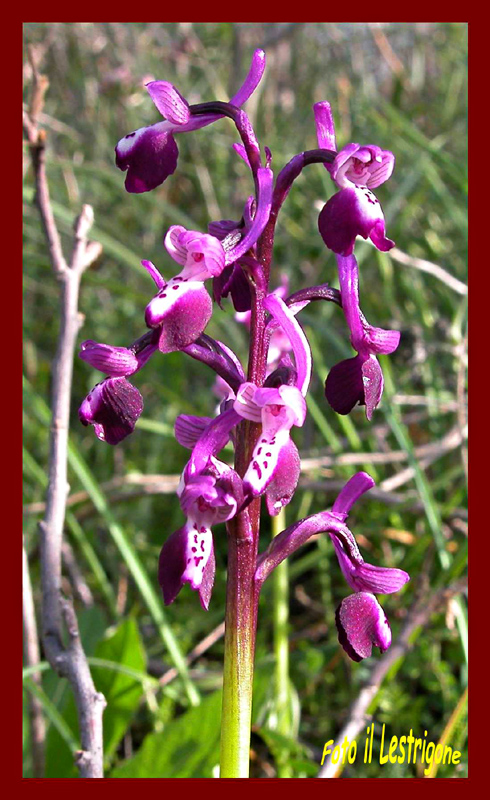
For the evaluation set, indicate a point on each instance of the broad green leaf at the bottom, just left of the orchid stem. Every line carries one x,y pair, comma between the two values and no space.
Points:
187,748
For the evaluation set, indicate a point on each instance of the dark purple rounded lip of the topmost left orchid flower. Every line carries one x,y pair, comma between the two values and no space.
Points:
149,155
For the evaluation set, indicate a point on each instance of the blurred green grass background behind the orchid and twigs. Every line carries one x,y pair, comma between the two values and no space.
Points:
402,86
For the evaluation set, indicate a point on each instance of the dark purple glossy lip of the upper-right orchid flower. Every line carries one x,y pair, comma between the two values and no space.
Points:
352,212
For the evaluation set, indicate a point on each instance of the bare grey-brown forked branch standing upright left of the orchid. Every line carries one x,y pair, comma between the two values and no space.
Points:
58,615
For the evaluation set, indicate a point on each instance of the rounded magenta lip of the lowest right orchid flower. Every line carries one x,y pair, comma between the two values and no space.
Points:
362,623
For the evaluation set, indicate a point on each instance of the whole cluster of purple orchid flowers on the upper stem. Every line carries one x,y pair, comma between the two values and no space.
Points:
261,408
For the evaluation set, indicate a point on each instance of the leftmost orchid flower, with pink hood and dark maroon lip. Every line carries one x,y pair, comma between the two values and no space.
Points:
114,405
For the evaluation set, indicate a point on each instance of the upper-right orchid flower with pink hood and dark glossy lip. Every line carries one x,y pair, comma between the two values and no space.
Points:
354,210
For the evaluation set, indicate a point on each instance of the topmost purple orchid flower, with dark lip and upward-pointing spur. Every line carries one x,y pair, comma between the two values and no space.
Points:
149,154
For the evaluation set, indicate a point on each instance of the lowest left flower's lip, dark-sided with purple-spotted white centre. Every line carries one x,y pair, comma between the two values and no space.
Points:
183,559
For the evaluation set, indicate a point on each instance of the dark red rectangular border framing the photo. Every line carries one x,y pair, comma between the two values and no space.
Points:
12,310
